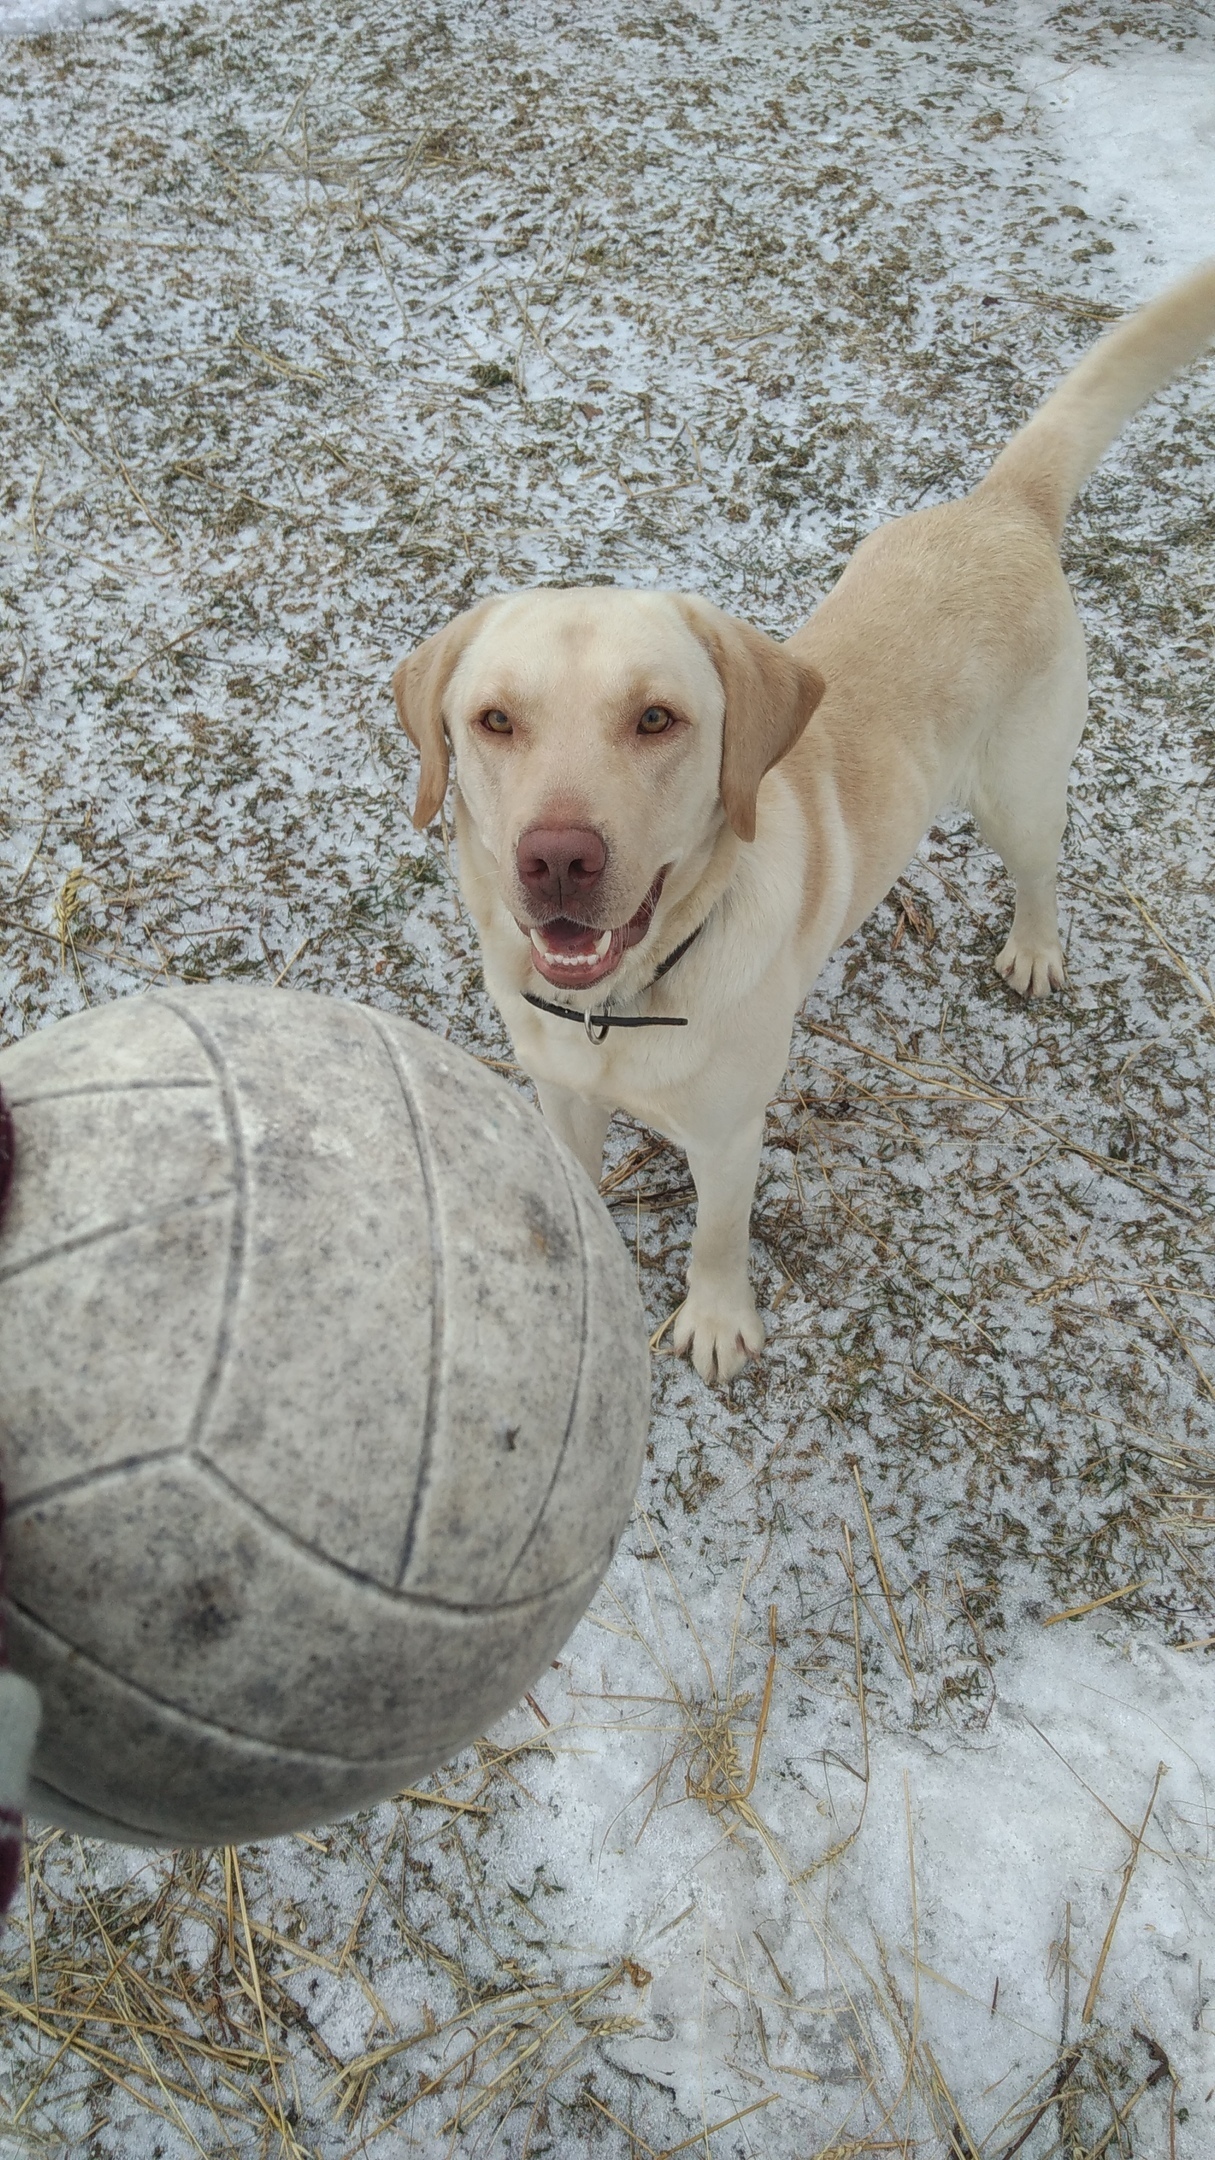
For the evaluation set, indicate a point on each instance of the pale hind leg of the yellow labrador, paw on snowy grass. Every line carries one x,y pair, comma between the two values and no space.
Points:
1019,796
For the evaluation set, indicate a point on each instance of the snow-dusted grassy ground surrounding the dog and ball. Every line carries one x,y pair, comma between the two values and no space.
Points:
321,323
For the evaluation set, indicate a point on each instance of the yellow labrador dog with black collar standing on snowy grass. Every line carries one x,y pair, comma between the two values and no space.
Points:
667,820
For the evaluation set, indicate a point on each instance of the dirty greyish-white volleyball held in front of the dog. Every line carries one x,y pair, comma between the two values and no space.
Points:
323,1403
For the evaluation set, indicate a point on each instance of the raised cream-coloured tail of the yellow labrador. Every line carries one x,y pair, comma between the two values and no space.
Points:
1054,455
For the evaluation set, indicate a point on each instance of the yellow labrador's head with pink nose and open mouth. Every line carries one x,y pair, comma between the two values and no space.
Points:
604,740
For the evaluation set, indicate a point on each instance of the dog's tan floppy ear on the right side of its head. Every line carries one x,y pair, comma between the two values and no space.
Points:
771,699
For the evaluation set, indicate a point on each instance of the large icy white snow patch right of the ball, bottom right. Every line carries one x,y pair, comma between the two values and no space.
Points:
976,1872
